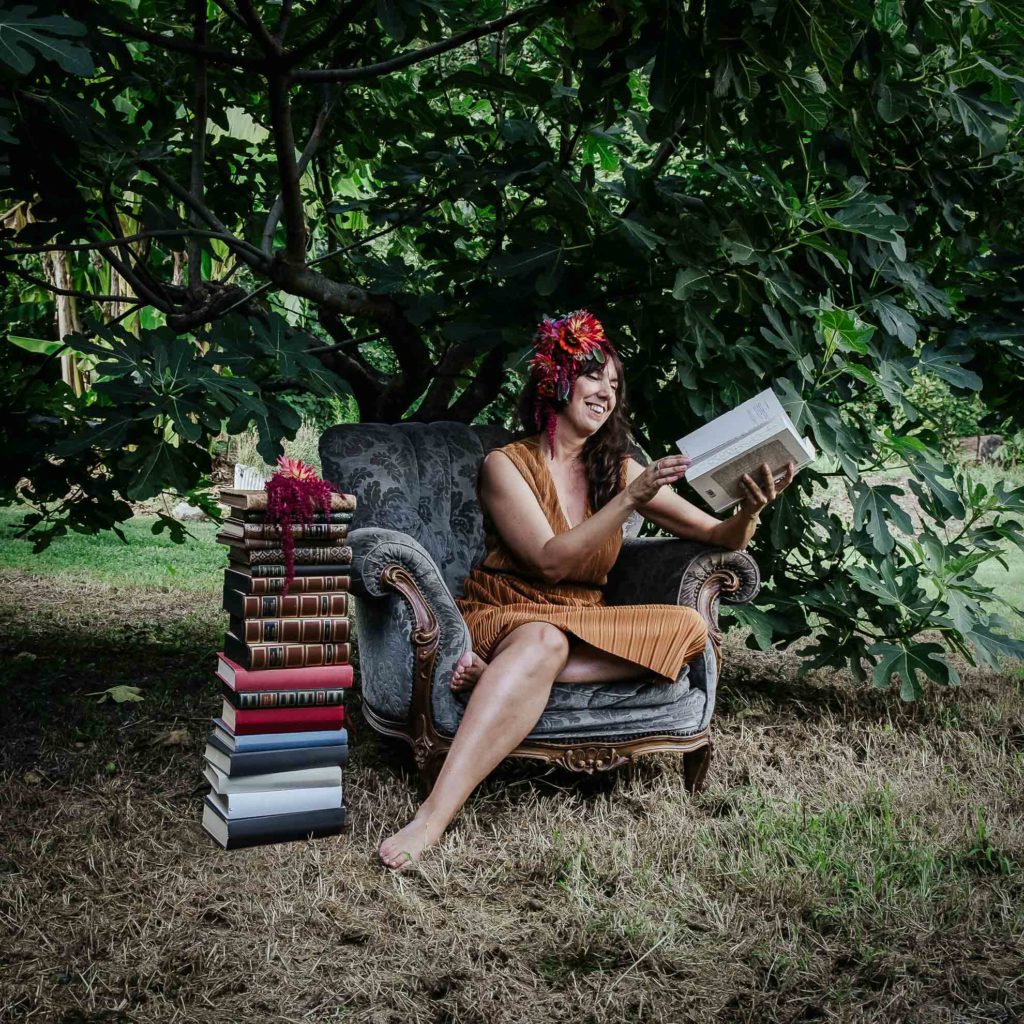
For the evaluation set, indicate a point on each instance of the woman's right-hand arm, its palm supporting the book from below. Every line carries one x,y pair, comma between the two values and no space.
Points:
678,517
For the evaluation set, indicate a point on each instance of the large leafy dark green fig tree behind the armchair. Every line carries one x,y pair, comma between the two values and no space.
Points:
385,198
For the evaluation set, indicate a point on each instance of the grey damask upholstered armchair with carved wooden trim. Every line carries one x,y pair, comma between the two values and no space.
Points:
418,531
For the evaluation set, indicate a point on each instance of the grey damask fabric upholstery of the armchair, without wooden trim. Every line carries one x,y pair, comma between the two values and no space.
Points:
417,508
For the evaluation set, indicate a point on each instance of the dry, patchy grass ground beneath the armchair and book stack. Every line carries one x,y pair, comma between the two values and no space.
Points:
835,870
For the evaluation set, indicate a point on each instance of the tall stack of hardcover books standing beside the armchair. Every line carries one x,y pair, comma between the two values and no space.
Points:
274,758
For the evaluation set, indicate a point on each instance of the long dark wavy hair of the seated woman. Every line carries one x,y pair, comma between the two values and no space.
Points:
604,451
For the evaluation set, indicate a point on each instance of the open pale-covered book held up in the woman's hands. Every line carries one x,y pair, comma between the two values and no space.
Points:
741,442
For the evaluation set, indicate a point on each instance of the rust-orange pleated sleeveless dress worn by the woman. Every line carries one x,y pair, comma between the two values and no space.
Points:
502,593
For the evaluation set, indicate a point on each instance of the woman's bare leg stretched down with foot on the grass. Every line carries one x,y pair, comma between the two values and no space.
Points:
508,699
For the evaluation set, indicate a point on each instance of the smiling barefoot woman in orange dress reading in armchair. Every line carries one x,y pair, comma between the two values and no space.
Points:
554,504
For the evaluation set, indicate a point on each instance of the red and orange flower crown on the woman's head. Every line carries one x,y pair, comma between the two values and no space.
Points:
562,347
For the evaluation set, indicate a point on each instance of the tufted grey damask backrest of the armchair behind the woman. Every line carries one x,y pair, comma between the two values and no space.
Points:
419,479
